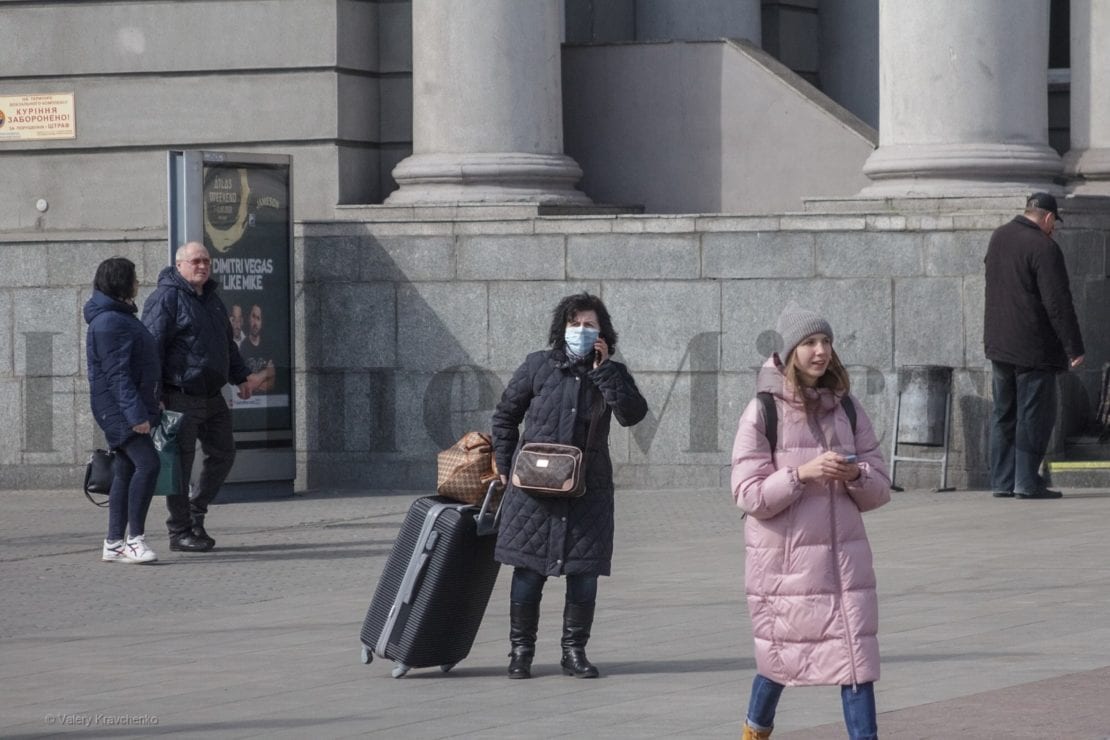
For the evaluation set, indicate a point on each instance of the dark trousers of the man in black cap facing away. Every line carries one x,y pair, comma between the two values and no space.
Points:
1022,427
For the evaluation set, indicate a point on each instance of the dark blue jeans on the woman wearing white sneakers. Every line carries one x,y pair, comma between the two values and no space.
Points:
136,473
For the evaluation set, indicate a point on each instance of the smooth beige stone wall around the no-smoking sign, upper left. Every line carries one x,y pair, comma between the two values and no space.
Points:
328,82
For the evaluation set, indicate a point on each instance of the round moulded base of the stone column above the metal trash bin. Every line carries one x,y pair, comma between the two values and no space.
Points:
917,170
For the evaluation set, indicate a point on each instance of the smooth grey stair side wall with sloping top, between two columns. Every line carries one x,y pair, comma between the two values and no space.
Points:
702,128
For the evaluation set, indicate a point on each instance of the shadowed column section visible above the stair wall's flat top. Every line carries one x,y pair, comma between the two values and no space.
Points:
698,21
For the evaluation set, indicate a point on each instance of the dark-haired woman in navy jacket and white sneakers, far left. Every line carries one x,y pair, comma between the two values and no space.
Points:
124,379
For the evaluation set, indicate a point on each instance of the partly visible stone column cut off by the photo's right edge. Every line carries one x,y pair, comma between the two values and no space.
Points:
1088,163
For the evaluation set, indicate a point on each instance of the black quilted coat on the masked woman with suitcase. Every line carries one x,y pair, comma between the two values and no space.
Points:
553,398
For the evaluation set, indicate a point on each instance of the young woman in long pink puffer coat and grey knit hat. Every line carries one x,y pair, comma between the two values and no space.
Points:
810,582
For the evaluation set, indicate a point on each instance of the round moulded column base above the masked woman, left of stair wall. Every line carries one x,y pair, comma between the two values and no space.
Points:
488,178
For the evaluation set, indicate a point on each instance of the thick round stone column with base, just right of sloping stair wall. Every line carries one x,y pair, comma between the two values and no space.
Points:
963,99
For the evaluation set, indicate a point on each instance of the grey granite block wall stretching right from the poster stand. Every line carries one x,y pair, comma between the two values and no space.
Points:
694,300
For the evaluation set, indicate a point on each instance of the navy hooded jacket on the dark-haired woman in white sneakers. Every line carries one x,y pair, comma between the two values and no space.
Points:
124,369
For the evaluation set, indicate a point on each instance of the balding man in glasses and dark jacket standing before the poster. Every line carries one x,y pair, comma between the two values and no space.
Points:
199,358
